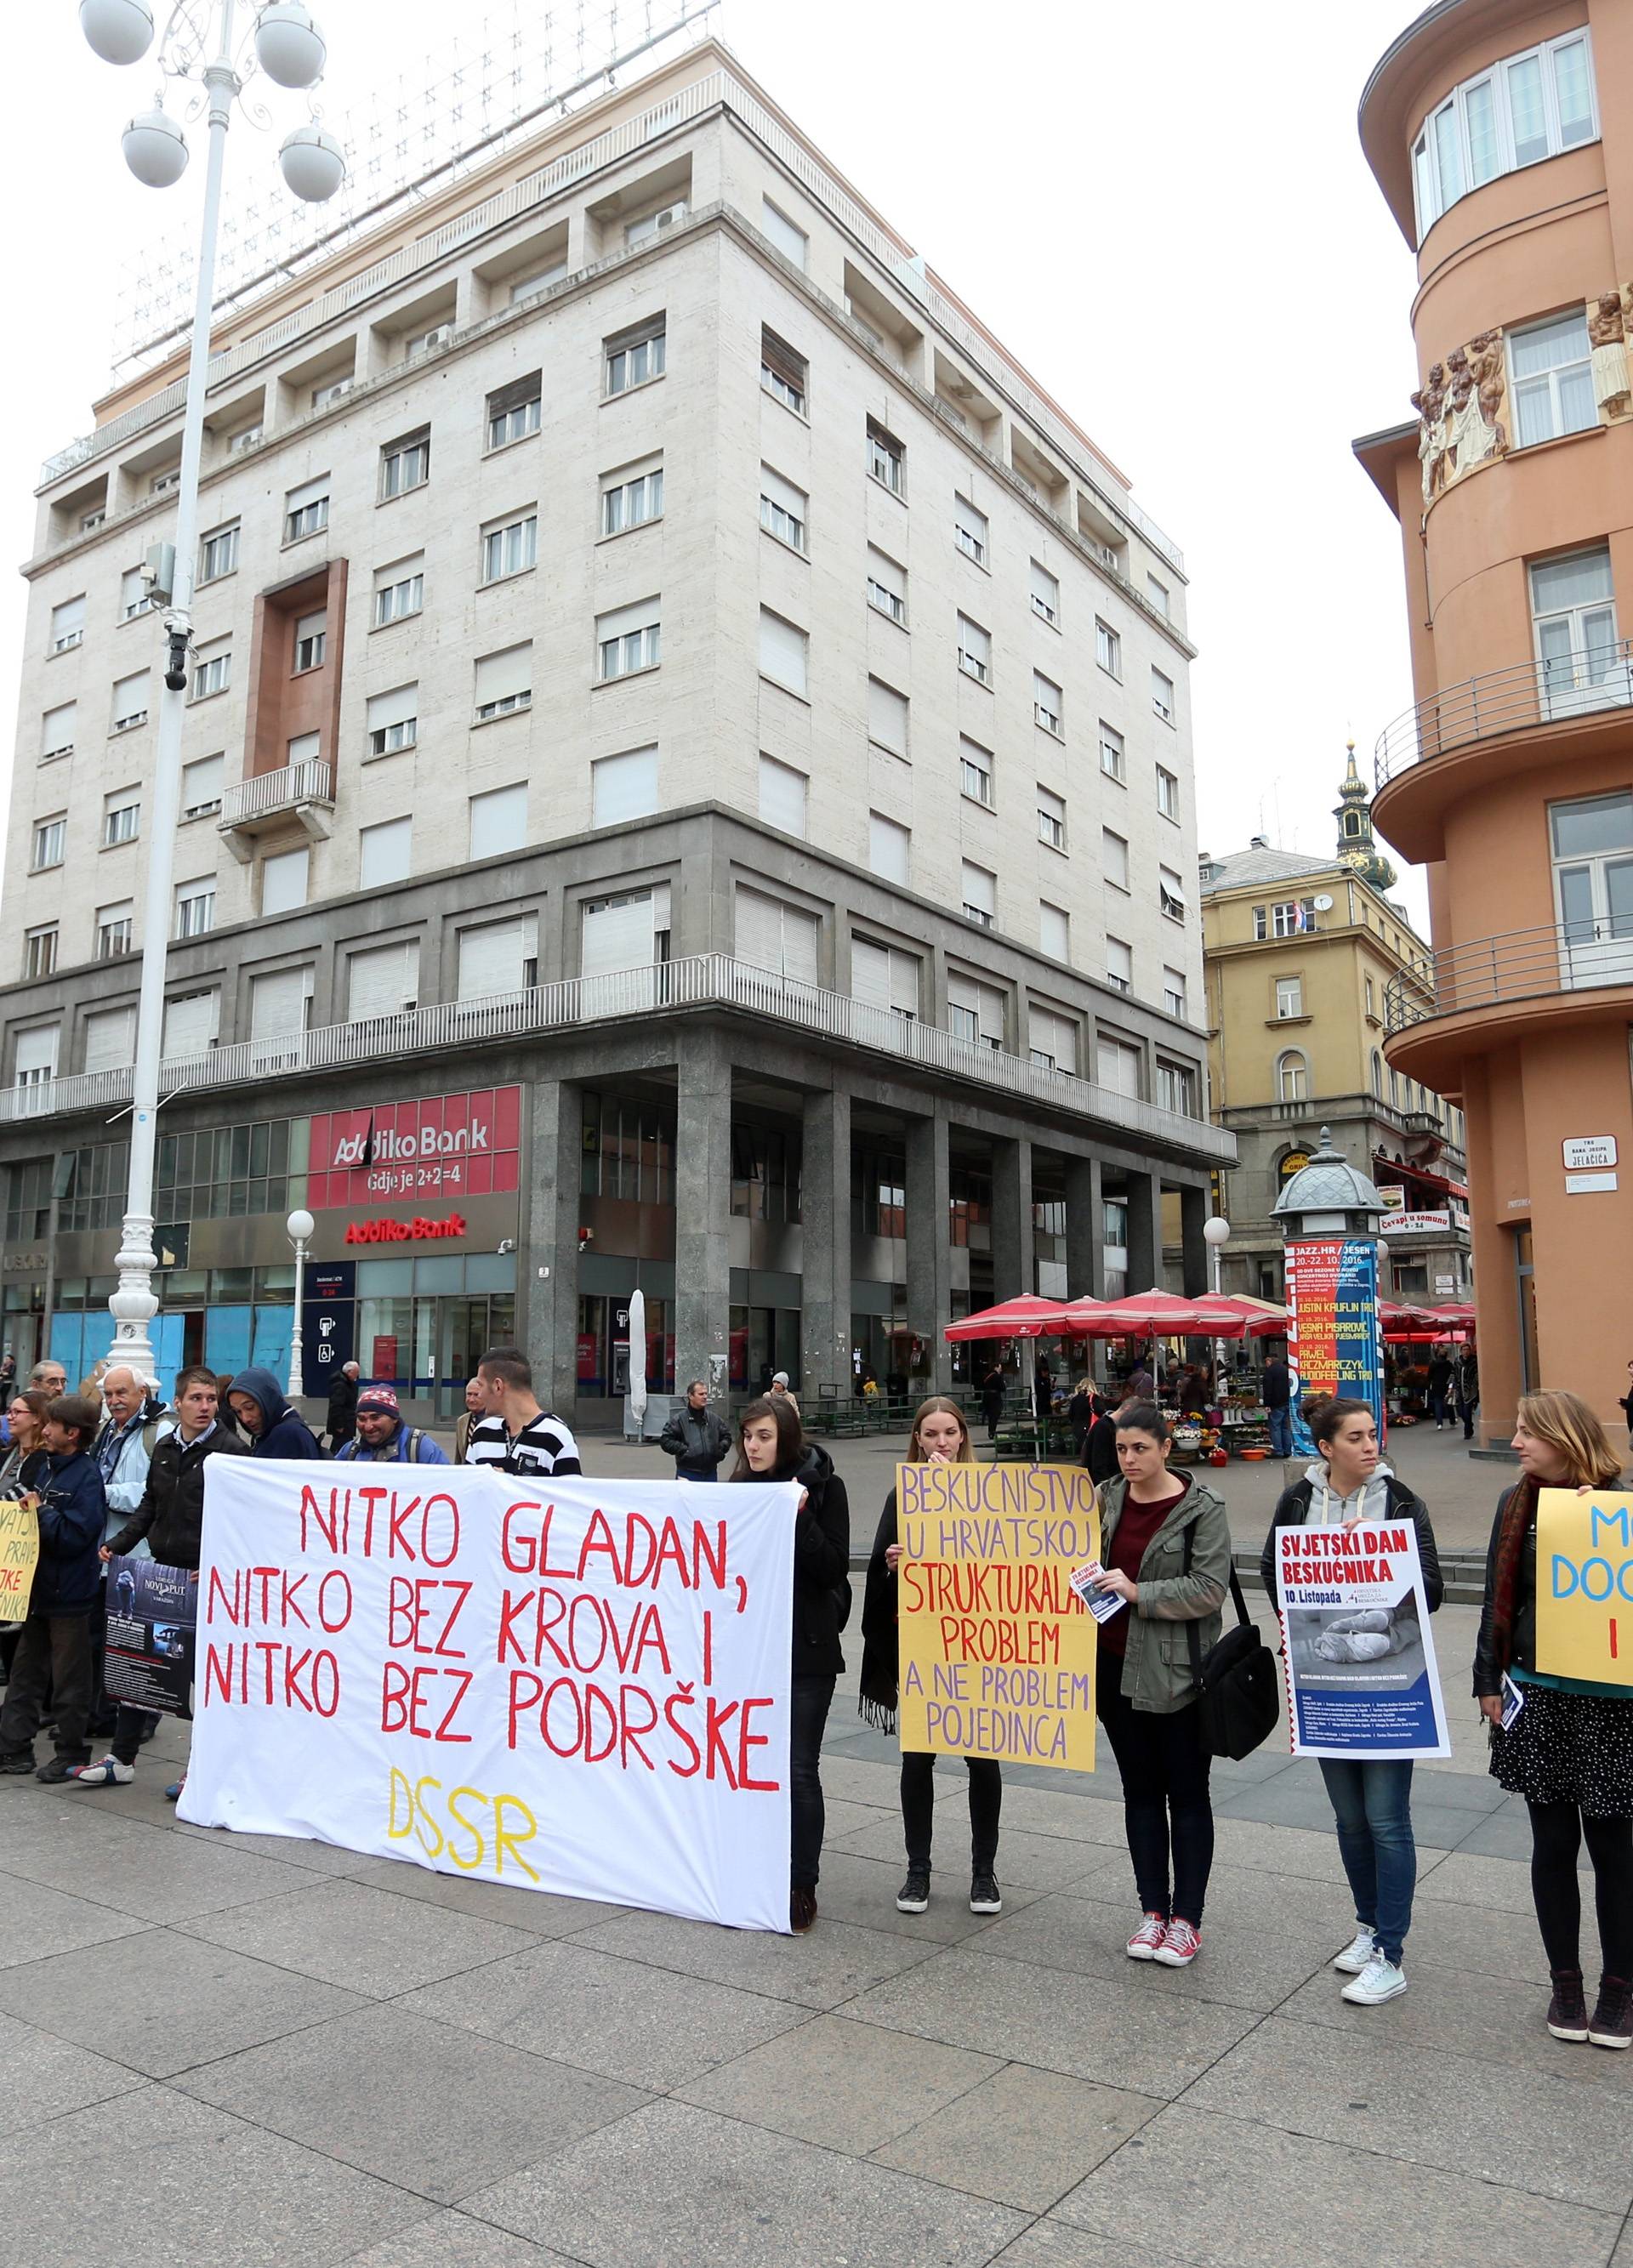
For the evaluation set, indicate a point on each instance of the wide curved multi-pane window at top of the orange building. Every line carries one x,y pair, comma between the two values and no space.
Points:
1525,110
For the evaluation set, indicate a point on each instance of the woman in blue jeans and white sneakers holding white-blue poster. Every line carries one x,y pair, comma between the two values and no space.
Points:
1351,1487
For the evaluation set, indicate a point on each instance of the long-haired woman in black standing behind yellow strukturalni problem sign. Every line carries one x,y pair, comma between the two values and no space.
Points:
940,1437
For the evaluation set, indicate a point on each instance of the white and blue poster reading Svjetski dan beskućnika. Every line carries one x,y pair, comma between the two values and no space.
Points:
1357,1645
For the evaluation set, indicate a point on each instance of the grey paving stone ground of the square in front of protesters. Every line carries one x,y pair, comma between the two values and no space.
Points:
260,2051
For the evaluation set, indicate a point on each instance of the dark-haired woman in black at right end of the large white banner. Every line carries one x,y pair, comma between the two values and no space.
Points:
772,1448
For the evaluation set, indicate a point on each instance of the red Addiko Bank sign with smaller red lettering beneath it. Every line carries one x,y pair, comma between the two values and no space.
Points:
446,1146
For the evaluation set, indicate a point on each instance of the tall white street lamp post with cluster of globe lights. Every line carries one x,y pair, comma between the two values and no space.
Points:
196,44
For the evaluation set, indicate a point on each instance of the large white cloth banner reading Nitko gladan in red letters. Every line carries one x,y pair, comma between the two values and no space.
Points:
570,1686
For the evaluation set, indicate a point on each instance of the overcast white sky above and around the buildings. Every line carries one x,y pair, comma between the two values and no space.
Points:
1160,210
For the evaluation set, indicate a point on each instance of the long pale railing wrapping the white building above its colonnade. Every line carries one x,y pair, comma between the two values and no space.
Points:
704,981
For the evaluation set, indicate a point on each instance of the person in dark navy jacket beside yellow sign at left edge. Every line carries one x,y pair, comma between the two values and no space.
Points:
53,1652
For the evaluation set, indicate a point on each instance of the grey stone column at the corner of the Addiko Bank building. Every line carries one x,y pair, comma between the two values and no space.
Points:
704,1210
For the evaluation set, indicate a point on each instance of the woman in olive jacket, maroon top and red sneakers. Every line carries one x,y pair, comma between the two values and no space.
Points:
1167,1550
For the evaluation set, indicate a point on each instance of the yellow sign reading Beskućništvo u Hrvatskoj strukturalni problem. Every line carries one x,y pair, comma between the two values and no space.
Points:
997,1650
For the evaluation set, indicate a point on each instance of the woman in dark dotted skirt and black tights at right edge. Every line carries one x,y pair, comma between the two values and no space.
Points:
1562,1743
